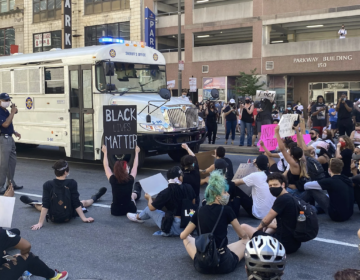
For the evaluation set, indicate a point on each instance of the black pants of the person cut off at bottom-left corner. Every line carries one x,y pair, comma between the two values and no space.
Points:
12,270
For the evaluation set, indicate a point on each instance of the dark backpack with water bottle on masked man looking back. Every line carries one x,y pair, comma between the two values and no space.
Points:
307,230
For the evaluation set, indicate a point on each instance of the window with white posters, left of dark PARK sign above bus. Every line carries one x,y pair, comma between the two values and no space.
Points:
46,41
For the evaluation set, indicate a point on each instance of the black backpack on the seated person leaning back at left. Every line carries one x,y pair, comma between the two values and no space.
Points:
60,210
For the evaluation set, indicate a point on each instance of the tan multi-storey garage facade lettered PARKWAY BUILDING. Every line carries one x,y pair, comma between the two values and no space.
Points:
294,45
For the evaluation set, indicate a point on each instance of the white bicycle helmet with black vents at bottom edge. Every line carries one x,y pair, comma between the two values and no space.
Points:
265,254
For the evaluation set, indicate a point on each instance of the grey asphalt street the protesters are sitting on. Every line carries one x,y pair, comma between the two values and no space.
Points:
114,248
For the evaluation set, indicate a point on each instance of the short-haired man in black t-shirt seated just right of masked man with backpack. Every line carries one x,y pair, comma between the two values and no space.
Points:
340,202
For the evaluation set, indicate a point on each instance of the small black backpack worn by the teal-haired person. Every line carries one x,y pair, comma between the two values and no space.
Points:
207,255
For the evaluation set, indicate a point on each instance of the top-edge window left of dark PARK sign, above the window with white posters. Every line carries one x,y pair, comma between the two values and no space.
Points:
44,10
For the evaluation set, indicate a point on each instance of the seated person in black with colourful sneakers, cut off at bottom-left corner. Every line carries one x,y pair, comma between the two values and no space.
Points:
13,267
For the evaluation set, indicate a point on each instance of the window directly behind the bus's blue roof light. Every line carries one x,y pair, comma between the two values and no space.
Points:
114,30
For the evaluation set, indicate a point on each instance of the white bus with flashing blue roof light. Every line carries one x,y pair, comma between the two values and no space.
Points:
60,95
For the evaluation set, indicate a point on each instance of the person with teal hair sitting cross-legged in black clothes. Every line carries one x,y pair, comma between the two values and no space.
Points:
216,216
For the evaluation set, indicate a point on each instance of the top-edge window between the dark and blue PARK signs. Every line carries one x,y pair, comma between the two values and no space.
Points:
100,6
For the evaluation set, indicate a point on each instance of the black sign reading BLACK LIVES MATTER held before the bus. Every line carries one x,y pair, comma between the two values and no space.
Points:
120,128
